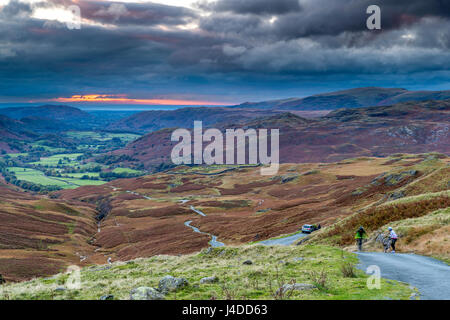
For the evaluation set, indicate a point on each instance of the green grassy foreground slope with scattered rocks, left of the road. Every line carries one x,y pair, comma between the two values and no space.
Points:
281,273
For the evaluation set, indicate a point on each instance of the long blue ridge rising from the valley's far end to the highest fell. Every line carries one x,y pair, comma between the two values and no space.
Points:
148,121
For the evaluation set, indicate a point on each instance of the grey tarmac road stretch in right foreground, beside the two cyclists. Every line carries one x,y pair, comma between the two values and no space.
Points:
430,276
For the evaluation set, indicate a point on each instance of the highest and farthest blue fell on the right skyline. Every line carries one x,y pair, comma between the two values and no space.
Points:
353,98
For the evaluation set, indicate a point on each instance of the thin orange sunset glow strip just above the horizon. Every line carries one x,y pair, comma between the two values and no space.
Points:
125,99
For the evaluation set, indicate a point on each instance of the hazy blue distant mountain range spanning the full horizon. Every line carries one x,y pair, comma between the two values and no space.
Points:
356,106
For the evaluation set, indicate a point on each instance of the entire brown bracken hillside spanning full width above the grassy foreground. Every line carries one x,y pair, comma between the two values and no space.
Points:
158,214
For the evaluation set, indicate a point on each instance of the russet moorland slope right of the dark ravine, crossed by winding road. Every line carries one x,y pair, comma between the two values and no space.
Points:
146,216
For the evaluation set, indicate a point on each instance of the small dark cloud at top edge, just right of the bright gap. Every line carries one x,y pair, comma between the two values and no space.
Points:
252,6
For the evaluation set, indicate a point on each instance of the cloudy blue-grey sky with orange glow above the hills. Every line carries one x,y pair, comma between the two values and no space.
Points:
216,52
